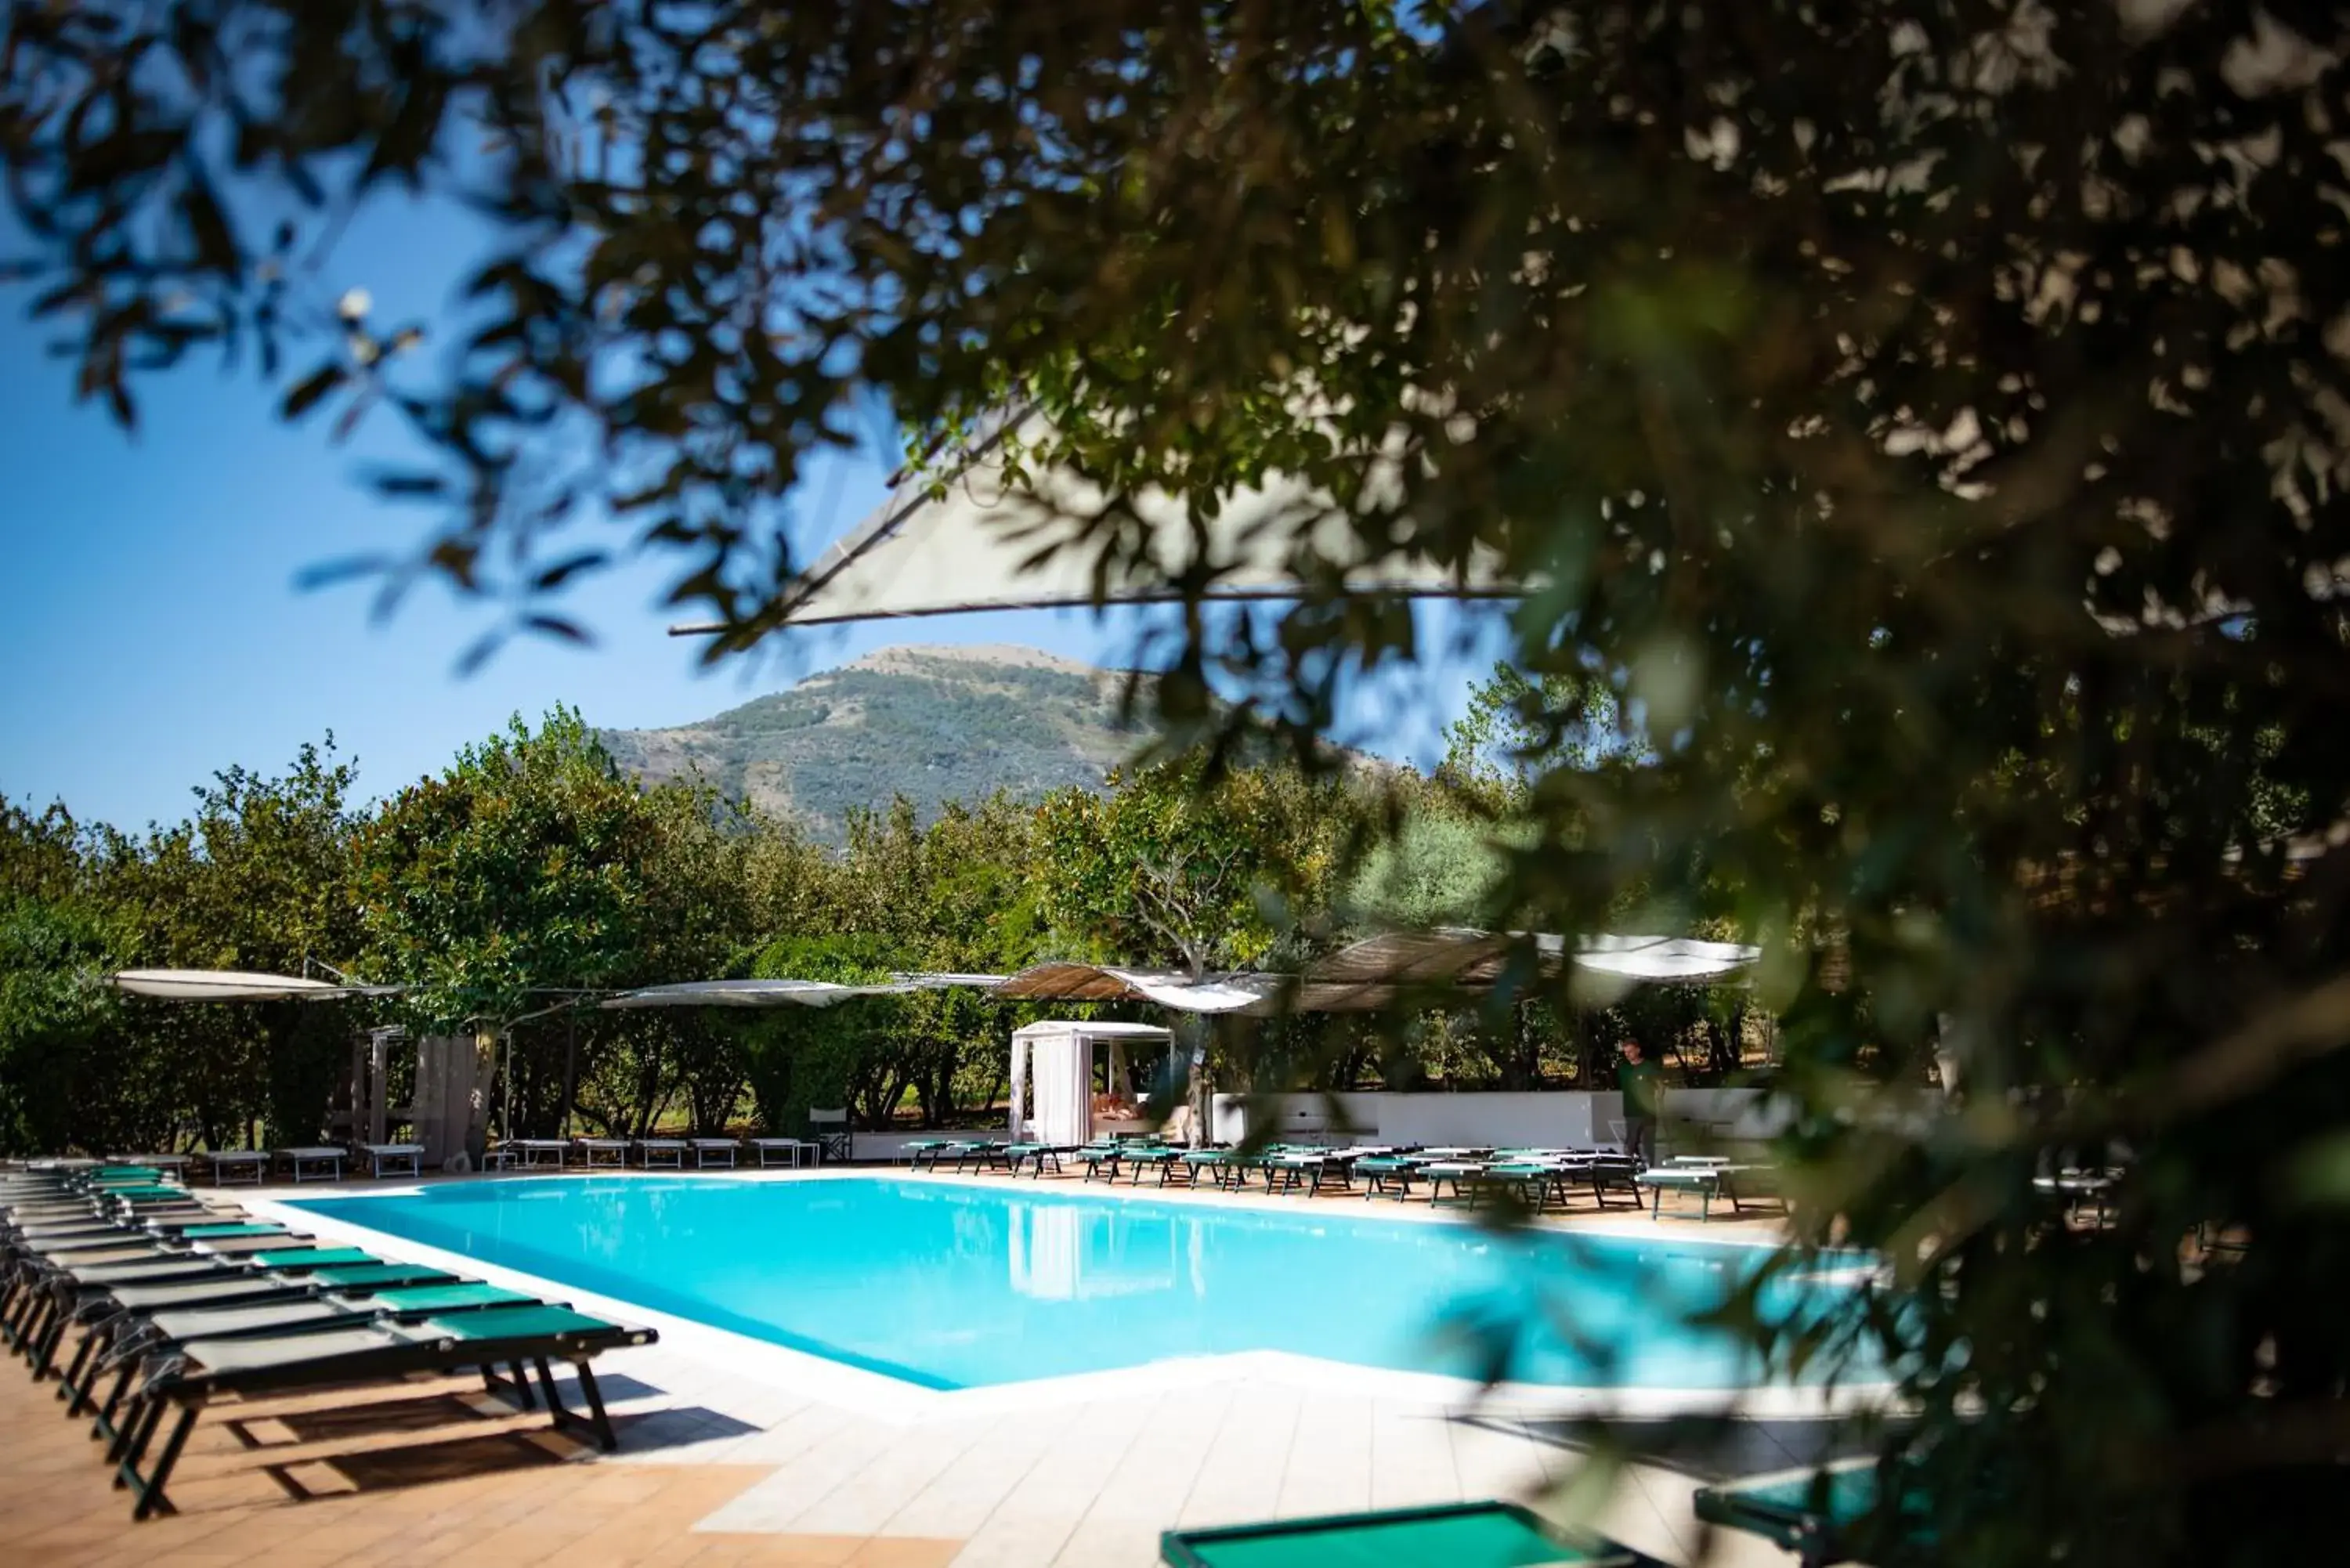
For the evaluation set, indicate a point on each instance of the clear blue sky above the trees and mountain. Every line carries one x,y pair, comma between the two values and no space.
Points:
152,626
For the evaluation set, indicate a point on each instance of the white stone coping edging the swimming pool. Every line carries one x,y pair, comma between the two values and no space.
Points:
894,1400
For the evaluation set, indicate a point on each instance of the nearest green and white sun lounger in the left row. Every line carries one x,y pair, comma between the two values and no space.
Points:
375,1353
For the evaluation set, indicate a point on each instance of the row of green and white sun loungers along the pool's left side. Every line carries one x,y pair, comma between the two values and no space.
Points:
173,1304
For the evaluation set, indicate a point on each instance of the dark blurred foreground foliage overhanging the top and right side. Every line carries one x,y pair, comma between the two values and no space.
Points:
1926,420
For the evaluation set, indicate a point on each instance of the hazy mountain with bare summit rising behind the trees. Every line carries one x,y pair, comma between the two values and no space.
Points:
927,723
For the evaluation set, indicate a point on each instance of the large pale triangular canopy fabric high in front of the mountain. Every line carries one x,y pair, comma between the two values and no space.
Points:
981,540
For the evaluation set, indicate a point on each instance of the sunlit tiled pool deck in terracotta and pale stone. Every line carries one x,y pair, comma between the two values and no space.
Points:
772,1459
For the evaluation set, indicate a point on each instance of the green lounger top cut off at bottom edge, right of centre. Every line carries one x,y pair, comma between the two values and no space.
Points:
1446,1536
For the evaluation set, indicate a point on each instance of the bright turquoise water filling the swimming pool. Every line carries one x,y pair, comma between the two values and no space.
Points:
965,1287
